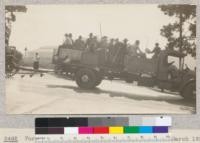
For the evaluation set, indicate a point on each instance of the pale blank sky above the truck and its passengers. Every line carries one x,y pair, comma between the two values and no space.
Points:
45,25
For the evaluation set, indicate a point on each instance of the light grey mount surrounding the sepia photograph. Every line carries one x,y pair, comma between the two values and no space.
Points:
26,121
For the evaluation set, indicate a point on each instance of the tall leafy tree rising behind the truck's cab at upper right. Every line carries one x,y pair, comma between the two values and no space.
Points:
181,34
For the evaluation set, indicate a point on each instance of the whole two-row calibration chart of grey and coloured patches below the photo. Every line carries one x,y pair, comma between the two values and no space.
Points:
77,126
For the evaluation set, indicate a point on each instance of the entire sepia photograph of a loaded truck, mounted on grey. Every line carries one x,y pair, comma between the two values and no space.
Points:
100,59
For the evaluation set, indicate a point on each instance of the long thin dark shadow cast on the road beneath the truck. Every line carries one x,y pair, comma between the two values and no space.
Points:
173,100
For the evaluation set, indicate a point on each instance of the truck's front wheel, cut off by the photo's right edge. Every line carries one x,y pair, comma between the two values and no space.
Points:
189,91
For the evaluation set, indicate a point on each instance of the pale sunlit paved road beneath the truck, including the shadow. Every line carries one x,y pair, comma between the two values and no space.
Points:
56,95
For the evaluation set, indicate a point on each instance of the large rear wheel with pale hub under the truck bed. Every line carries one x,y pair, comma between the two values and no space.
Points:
86,79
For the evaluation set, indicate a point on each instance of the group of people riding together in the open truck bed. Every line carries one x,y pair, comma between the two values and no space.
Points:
112,51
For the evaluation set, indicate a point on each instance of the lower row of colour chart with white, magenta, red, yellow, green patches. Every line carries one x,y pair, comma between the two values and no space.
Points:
102,130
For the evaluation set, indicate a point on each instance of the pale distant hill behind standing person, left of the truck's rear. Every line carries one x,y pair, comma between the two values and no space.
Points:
45,54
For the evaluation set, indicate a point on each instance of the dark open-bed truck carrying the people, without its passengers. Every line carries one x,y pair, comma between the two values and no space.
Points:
88,70
